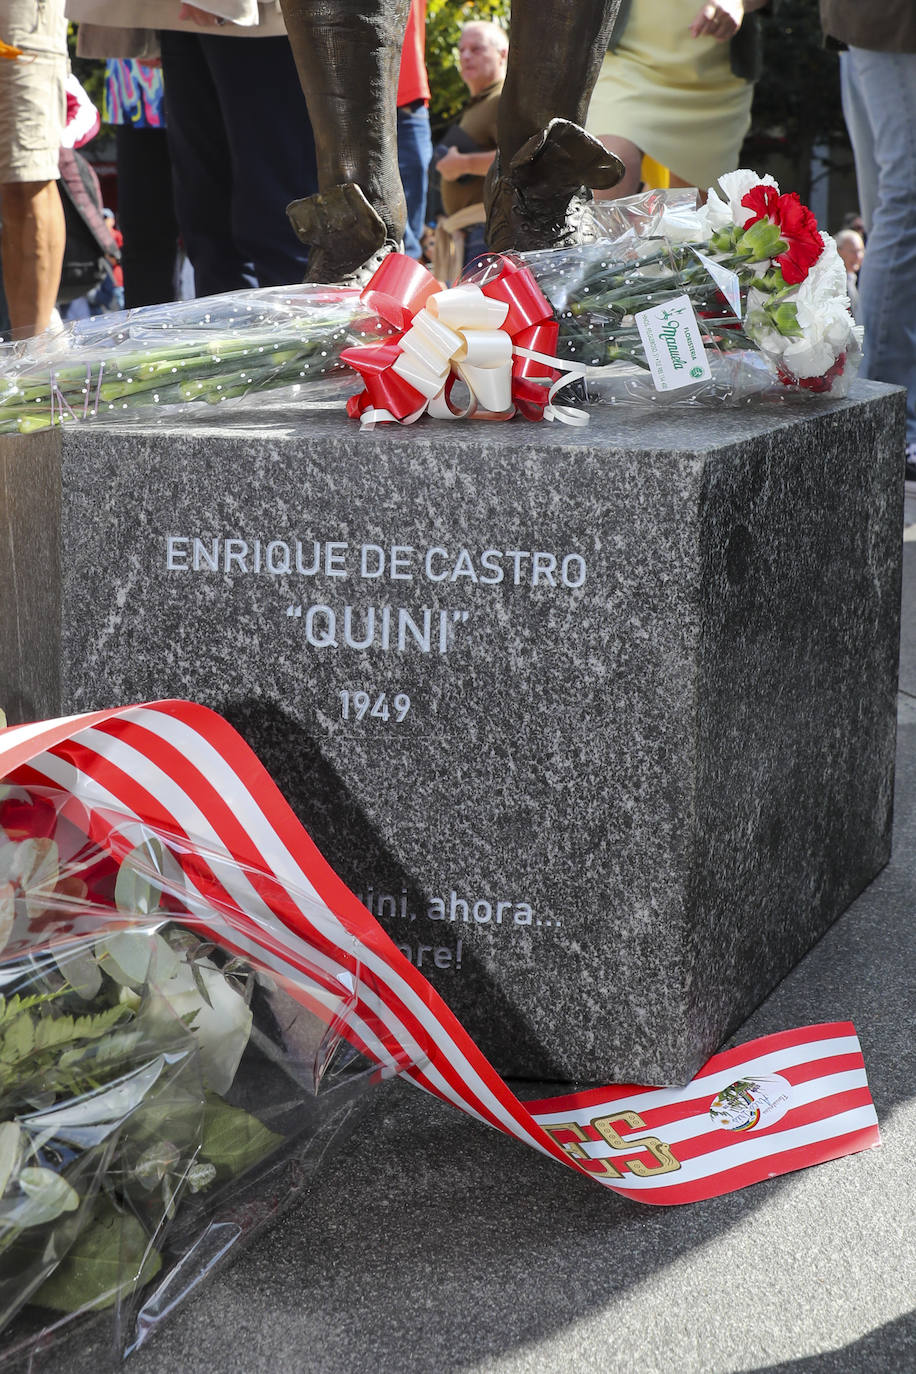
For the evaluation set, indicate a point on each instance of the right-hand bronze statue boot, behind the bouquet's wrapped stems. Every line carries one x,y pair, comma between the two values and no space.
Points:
542,200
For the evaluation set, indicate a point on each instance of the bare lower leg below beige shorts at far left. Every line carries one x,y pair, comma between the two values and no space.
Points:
32,249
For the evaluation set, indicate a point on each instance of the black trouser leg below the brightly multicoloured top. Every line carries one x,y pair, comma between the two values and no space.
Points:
146,216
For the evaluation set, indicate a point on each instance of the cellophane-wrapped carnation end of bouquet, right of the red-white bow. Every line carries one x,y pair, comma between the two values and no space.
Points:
767,330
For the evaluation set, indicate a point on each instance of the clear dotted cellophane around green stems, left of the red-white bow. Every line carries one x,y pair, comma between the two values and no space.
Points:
182,359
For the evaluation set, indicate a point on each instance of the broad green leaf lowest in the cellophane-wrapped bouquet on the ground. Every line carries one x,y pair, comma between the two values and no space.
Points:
109,1259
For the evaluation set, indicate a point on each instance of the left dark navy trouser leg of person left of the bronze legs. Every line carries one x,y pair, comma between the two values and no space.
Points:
201,167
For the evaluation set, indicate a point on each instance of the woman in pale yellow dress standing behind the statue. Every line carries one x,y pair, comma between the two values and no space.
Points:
678,87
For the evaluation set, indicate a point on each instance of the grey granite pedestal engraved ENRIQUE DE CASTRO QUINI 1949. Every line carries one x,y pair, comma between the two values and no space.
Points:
599,723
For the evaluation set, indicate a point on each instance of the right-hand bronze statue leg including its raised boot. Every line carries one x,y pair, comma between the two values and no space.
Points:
547,163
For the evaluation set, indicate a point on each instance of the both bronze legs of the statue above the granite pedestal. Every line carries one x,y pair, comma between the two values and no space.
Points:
348,54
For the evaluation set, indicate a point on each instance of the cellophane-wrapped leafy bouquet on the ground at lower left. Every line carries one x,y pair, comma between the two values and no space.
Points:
167,1089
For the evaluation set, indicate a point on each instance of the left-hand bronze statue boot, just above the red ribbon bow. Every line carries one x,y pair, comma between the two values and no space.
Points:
348,238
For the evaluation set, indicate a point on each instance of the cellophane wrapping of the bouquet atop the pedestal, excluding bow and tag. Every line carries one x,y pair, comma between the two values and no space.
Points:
766,286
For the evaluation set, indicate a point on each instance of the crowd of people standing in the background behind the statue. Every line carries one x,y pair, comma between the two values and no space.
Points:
207,163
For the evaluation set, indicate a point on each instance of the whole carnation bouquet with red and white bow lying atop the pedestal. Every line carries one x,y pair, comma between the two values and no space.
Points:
738,297
